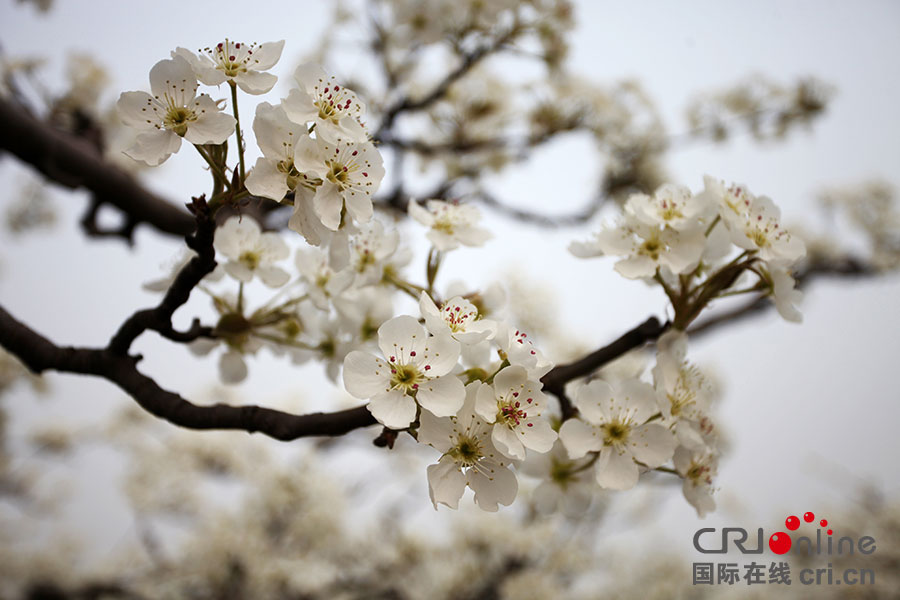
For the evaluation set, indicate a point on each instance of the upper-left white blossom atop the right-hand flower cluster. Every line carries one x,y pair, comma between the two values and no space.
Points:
671,205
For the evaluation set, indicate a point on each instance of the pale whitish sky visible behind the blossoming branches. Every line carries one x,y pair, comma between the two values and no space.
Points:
812,410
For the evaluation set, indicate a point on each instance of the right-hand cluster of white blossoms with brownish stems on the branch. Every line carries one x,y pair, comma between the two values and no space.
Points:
699,247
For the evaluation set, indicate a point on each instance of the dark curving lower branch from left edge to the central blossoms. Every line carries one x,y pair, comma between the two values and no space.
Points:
40,354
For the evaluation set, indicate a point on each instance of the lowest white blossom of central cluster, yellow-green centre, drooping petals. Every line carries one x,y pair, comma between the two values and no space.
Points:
468,458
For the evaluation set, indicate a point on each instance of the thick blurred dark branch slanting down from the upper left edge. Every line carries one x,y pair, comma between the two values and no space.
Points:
76,163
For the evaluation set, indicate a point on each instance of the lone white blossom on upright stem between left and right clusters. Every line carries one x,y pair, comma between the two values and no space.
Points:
451,224
